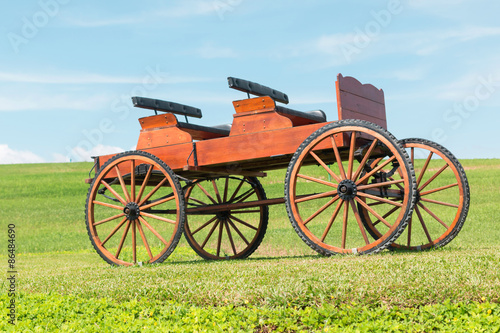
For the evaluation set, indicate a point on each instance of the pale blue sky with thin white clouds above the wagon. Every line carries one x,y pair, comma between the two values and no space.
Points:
68,68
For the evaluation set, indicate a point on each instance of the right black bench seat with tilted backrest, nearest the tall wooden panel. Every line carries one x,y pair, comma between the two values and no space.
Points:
298,118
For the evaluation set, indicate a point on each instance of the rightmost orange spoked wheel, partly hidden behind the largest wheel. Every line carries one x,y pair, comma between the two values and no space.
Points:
442,198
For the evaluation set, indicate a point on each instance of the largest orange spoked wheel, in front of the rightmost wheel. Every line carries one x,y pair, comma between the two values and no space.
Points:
330,174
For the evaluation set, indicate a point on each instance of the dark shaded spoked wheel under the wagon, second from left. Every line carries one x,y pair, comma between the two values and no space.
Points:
225,220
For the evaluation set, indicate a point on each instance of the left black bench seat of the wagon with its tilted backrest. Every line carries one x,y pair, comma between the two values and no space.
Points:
197,132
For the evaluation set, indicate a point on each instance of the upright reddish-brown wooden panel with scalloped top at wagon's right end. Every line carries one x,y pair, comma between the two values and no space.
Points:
360,101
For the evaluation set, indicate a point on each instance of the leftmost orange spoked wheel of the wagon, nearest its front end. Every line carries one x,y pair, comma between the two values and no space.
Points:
135,210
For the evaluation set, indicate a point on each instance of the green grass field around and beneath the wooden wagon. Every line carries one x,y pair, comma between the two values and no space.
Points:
285,286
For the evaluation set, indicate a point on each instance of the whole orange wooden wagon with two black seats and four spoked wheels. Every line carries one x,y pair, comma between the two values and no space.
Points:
350,186
